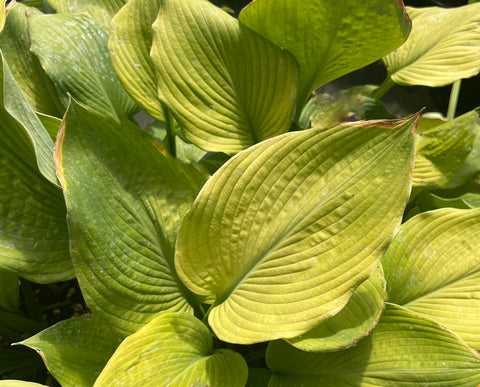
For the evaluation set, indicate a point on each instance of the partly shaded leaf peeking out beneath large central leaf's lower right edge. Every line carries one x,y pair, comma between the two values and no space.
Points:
353,322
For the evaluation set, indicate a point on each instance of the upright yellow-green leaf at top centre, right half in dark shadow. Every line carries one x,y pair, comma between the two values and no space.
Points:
227,87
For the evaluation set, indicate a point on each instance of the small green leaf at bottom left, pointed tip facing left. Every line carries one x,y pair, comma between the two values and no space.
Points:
76,350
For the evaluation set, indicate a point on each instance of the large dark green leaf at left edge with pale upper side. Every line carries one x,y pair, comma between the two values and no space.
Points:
33,230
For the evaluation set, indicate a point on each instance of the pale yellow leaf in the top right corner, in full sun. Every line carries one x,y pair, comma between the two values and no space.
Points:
444,46
